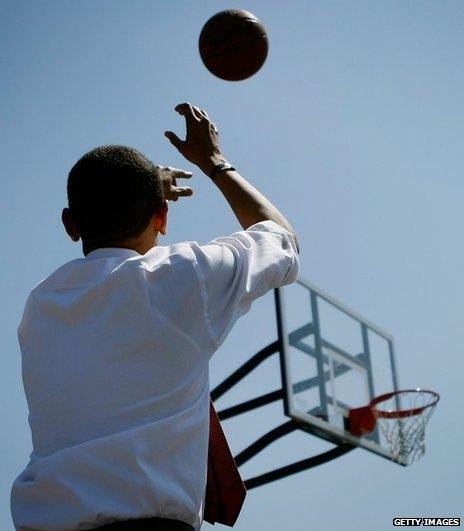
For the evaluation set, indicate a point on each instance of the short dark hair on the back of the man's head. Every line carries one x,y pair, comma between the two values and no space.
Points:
113,191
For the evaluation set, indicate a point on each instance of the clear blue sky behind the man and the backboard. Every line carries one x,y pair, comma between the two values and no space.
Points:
354,127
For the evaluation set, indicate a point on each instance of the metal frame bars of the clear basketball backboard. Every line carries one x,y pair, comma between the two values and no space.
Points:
324,352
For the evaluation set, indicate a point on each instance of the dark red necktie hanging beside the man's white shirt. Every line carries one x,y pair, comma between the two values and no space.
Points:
225,491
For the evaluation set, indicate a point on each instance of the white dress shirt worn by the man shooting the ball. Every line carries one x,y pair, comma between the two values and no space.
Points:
115,349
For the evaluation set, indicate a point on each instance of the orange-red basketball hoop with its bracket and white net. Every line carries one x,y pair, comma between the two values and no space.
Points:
402,417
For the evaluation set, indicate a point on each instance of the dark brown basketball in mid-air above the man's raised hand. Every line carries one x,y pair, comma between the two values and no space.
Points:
233,44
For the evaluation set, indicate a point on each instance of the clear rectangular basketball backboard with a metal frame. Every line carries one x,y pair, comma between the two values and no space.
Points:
332,360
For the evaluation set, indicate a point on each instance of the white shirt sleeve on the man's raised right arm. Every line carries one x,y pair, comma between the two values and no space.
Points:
235,270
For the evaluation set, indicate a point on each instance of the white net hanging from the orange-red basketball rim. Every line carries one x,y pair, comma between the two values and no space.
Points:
402,419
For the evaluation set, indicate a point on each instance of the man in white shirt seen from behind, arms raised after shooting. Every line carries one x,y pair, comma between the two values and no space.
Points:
115,346
